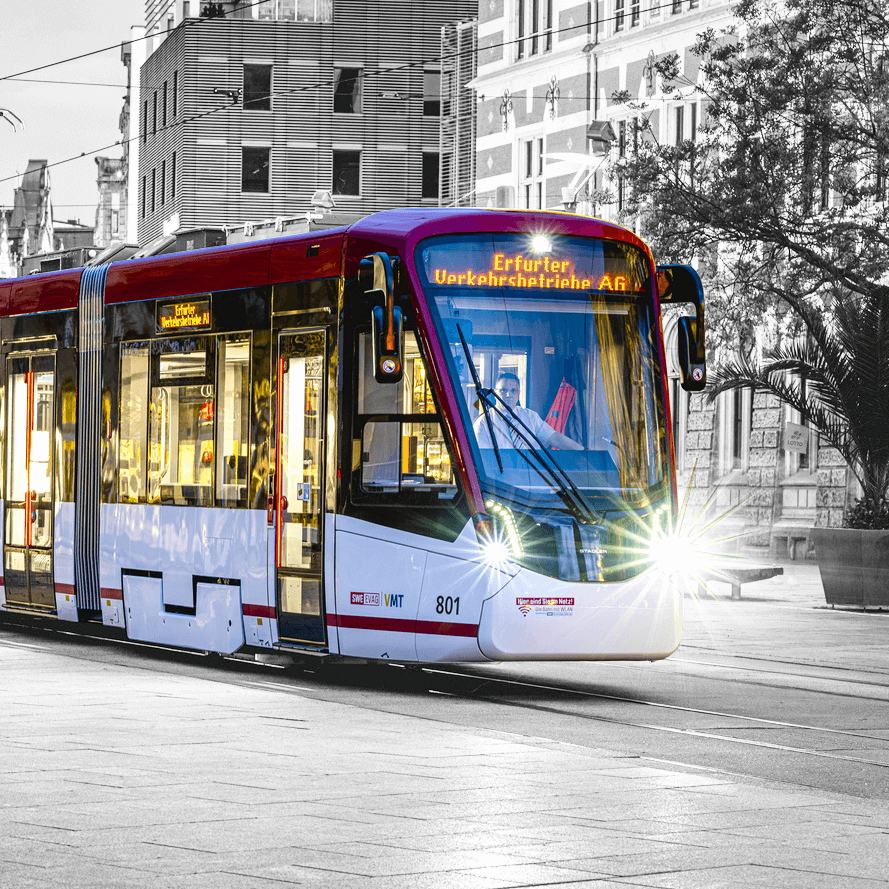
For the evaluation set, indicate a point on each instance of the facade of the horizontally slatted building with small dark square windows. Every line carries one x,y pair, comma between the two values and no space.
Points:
246,115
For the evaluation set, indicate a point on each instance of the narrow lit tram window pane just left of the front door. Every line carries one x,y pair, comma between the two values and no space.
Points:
233,422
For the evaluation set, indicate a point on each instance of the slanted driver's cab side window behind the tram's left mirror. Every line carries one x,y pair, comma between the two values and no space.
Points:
402,447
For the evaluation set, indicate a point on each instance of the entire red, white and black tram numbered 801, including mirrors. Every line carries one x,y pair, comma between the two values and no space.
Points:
431,436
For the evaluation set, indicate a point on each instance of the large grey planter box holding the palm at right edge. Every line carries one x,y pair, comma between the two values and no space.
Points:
854,566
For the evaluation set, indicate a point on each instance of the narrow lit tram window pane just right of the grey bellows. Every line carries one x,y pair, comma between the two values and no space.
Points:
133,422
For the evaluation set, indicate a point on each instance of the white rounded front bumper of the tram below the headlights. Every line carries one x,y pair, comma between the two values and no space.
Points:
541,618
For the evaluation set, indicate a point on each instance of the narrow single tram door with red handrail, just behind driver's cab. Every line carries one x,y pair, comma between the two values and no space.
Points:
298,498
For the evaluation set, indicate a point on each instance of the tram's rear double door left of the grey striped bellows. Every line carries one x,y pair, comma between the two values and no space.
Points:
28,529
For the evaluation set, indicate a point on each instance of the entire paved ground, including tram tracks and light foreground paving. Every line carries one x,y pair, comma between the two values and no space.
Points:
756,755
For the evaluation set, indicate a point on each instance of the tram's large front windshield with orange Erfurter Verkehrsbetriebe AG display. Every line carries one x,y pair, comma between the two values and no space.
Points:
551,342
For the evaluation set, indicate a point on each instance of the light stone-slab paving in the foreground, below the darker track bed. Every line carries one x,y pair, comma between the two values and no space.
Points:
118,776
